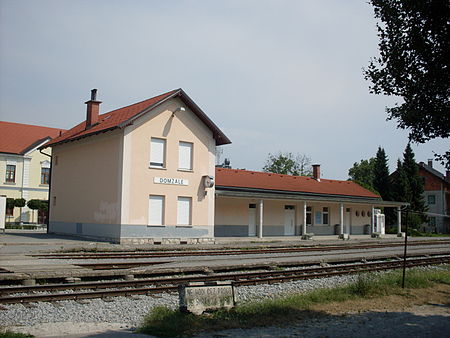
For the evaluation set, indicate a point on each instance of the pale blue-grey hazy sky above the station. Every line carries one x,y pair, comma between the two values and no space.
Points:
278,75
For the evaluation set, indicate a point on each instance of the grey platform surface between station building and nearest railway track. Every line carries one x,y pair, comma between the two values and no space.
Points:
16,247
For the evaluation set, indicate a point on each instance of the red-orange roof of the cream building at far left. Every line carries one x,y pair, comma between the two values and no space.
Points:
17,138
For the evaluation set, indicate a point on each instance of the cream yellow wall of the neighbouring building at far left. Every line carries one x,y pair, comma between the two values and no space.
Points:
27,184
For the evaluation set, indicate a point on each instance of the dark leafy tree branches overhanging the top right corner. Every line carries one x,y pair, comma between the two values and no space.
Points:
413,65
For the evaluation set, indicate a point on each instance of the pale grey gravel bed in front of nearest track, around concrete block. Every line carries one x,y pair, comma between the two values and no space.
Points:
131,311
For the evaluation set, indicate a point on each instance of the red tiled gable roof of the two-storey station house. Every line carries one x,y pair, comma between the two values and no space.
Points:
121,117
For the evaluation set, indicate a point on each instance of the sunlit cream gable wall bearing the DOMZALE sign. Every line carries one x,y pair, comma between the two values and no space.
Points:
138,177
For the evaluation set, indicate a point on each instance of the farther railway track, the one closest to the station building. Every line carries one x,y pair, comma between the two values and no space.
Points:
159,254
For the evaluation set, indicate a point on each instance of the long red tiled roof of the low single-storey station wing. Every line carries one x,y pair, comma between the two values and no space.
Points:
297,184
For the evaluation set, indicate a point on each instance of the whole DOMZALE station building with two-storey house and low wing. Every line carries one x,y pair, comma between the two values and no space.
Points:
145,173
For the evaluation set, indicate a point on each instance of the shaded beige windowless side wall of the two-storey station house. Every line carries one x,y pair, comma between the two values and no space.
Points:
86,180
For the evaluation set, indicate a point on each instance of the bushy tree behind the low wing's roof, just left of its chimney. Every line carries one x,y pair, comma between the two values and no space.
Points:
288,164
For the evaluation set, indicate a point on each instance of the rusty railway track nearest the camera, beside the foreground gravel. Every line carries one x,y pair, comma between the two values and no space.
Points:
108,289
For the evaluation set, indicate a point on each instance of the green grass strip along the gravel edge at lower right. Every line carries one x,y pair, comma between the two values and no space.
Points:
165,322
